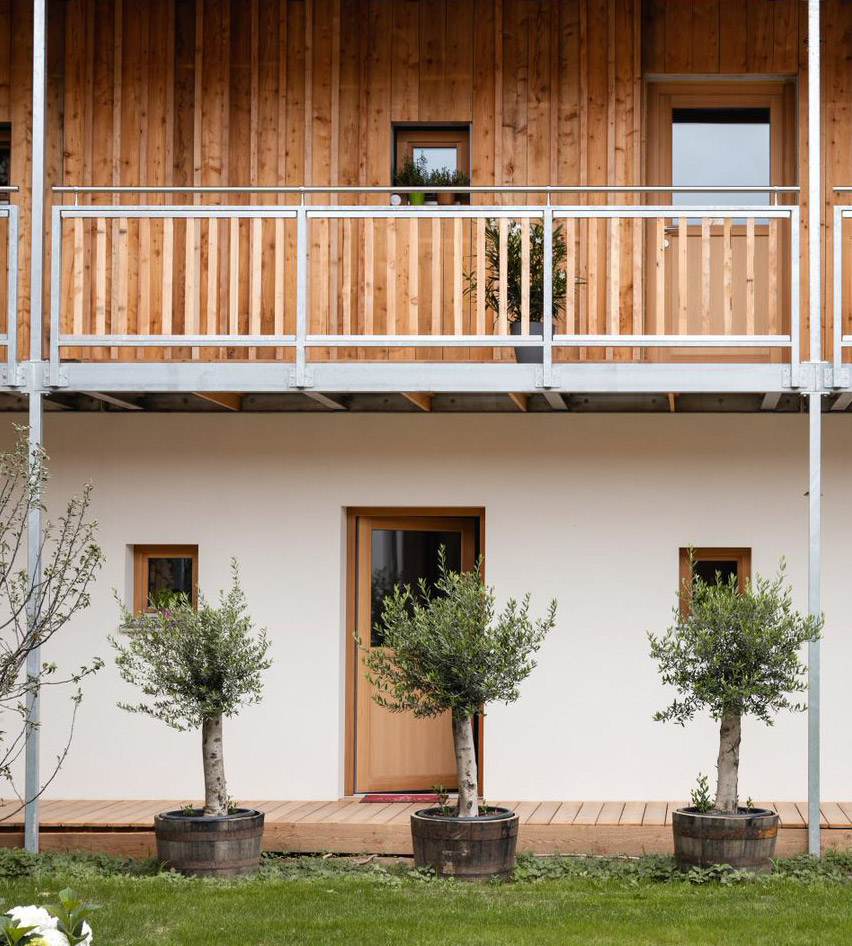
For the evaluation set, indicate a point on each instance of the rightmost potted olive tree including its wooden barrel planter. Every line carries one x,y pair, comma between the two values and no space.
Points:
733,653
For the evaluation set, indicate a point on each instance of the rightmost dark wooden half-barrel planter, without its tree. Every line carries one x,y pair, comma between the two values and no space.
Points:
746,840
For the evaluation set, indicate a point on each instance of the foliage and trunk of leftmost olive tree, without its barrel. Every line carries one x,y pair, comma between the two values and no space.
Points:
196,666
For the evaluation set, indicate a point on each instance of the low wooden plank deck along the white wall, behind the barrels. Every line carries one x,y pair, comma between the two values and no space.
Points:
349,826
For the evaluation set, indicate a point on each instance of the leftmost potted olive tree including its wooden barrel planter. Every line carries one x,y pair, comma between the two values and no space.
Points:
197,666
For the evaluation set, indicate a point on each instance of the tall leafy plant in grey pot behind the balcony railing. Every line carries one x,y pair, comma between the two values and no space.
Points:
514,279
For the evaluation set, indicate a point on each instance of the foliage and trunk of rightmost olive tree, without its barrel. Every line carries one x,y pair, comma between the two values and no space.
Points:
734,653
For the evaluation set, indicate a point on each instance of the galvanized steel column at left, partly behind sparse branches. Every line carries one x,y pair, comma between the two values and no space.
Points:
36,439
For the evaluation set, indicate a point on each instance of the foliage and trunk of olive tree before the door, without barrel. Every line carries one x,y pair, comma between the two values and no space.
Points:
446,650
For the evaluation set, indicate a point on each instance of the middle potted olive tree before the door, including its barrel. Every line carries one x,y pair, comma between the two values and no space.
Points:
447,651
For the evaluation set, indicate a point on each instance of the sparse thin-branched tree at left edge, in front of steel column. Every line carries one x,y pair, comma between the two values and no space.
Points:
32,611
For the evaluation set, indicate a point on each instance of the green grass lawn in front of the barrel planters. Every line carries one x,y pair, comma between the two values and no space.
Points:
311,901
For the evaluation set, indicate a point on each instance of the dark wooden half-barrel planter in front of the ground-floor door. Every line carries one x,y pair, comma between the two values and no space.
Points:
474,849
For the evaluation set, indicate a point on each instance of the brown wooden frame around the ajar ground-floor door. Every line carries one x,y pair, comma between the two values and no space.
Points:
352,662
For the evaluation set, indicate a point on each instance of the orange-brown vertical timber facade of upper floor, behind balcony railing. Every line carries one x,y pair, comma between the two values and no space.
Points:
171,93
